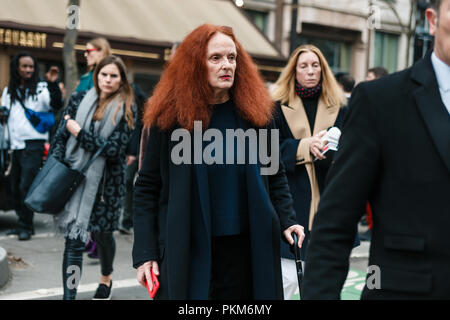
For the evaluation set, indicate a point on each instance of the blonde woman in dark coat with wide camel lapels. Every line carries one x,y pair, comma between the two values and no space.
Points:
309,101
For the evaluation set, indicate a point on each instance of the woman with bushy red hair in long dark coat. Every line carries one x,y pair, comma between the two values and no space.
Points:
210,230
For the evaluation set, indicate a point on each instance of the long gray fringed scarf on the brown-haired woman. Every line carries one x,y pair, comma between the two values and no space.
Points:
73,220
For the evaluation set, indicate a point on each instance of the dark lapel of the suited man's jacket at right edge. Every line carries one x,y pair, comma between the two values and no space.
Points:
431,108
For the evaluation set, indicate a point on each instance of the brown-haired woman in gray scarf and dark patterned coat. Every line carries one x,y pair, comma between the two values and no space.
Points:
100,117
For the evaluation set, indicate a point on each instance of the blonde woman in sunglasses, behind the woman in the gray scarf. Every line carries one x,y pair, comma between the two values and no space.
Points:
96,50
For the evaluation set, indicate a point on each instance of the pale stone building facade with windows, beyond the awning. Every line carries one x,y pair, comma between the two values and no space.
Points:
354,35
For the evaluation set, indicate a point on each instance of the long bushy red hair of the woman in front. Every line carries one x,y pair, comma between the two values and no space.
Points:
183,93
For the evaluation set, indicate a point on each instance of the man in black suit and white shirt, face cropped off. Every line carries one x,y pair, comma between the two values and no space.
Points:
394,152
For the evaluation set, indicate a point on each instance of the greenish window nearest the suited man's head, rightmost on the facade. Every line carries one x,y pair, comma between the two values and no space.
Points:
386,51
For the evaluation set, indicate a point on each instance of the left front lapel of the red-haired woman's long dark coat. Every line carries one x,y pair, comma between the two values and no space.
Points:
183,220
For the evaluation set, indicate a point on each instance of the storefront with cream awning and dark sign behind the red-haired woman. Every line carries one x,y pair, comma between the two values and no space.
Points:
141,32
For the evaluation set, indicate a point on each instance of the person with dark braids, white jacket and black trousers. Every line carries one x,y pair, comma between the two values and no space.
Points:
25,90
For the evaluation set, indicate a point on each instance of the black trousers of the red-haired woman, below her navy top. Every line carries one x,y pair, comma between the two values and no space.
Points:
231,270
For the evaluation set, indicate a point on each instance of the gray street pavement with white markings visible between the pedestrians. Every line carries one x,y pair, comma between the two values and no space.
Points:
35,266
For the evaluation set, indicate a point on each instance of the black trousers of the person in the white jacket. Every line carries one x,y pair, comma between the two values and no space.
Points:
25,165
